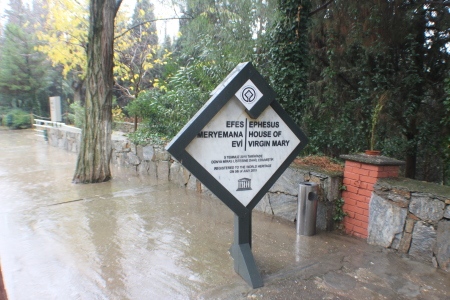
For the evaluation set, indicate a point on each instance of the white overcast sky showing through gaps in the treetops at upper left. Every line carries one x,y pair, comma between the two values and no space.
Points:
161,11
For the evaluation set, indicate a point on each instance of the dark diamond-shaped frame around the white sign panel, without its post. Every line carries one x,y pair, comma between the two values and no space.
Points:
177,148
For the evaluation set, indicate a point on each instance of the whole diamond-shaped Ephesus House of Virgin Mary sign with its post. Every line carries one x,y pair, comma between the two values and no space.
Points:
238,144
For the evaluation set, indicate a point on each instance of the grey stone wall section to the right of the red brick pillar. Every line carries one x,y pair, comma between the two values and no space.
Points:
412,217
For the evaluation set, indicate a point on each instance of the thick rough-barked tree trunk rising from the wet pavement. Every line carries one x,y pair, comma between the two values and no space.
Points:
95,150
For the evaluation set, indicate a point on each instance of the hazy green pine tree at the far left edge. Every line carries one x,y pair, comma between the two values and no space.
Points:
23,70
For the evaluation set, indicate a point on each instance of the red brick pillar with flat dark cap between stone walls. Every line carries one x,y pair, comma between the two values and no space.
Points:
360,175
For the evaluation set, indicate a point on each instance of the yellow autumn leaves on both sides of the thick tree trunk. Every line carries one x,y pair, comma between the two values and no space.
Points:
65,35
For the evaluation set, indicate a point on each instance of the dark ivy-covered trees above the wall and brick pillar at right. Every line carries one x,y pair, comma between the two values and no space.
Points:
350,81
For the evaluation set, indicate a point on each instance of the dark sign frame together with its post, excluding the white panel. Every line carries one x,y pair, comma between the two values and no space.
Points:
244,262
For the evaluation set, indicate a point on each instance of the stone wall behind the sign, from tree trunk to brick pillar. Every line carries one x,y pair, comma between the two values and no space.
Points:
281,200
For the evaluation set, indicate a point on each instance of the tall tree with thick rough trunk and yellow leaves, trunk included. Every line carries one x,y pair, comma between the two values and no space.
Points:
89,54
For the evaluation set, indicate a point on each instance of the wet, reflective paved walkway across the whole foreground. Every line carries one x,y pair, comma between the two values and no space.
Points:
137,238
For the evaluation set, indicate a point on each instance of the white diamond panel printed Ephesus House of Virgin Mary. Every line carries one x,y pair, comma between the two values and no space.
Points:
243,153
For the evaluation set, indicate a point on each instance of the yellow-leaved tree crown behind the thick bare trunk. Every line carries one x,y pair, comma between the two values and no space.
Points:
136,63
